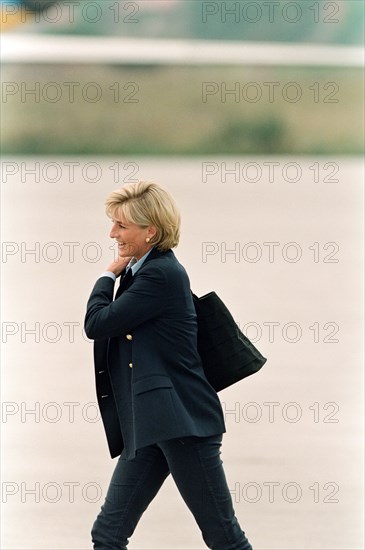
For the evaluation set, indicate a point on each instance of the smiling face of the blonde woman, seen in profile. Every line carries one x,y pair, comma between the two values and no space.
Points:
131,238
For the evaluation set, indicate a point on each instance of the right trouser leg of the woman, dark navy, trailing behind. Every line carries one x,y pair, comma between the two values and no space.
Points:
197,470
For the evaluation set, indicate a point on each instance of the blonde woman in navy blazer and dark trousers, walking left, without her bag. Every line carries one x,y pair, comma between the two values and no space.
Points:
159,412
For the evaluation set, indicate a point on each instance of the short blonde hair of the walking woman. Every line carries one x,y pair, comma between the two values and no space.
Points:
147,203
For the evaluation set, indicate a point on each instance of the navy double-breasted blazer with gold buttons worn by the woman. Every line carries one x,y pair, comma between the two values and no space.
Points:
150,381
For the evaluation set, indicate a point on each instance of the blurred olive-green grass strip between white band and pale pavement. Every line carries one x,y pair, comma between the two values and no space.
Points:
161,111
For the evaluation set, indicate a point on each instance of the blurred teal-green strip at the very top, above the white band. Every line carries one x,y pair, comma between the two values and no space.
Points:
322,21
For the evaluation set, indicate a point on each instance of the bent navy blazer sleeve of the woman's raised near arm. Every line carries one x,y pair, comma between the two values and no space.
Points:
143,300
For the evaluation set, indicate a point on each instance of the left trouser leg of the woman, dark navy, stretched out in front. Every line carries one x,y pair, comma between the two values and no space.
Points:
133,485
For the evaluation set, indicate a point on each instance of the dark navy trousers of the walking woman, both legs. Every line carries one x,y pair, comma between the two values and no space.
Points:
197,470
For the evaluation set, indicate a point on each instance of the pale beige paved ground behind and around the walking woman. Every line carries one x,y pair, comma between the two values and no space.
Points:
293,448
